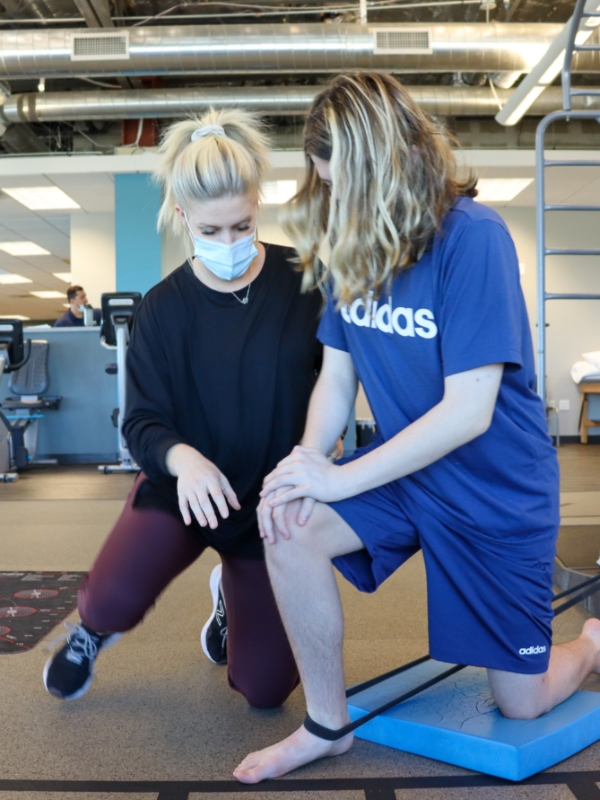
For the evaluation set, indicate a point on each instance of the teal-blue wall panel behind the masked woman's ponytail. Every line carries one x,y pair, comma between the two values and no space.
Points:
138,244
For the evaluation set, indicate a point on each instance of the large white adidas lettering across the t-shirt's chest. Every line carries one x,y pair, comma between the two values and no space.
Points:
403,321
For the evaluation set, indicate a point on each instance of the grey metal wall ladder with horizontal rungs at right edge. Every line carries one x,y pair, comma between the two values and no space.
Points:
542,208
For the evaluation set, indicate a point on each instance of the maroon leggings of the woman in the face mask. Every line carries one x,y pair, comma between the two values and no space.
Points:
145,551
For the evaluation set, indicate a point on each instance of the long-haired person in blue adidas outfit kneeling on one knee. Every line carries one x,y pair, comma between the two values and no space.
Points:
424,308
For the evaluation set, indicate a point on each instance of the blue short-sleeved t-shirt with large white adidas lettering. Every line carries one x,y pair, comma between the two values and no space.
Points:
459,308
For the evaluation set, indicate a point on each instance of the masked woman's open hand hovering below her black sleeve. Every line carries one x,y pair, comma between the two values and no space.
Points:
199,480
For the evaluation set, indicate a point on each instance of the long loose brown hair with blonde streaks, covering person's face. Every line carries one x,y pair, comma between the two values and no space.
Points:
393,175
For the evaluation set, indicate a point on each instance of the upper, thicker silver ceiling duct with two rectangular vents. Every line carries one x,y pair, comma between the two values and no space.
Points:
290,49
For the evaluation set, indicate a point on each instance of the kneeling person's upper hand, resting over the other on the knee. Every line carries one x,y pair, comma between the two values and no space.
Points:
305,473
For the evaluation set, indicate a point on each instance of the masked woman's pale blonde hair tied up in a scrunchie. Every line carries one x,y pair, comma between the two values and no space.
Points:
213,166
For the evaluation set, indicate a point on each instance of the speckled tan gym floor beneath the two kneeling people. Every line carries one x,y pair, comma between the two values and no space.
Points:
160,720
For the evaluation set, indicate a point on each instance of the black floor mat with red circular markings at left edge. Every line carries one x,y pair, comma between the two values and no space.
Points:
32,603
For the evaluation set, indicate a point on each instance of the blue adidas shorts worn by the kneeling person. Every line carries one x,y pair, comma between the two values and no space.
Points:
488,603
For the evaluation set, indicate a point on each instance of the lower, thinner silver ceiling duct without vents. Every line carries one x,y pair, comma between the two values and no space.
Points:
458,101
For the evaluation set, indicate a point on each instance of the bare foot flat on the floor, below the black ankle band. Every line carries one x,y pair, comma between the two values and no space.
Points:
298,749
